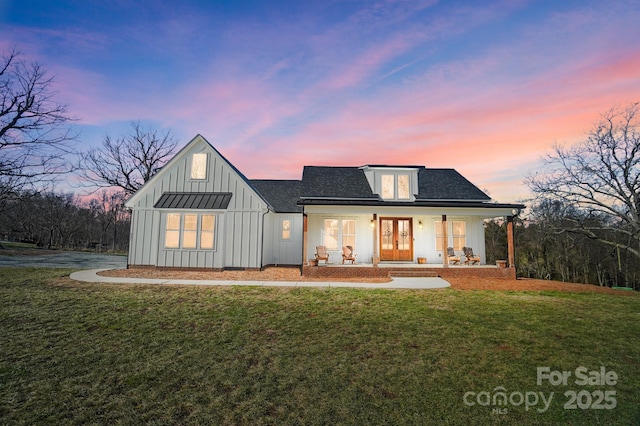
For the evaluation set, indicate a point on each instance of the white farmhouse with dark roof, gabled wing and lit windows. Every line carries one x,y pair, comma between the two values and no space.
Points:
199,211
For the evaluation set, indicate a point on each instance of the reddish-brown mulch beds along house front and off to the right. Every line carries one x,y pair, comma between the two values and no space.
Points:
293,274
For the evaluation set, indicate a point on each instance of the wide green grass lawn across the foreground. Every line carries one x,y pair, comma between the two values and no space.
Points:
74,353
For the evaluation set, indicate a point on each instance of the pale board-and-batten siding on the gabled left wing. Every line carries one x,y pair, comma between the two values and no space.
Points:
238,229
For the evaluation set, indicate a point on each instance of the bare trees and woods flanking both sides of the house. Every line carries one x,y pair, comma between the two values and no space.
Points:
582,223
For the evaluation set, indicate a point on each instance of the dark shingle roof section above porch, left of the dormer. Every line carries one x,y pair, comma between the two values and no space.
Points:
335,182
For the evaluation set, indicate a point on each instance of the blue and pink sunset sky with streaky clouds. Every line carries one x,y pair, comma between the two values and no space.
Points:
484,87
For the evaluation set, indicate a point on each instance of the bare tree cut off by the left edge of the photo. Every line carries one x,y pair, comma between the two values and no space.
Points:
34,133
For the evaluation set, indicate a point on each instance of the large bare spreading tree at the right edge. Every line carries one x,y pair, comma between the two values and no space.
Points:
600,178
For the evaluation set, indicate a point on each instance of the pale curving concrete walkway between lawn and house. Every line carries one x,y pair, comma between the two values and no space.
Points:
91,276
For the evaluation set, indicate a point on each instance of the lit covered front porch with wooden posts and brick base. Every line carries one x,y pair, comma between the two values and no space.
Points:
392,242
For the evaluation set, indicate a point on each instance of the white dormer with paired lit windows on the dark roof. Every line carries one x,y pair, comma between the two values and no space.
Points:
393,183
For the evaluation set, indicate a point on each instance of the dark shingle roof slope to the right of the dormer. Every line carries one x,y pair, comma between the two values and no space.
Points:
447,184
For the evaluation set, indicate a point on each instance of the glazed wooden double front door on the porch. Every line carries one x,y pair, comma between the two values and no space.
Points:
396,239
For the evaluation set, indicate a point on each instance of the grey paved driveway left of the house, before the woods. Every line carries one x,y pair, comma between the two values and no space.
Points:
66,259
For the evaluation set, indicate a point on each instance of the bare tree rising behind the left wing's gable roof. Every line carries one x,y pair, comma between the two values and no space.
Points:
128,161
